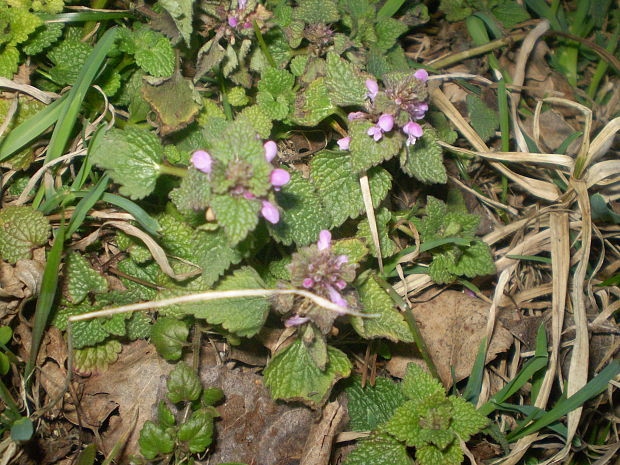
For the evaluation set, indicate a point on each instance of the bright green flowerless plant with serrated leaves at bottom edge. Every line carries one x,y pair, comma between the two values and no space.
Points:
417,413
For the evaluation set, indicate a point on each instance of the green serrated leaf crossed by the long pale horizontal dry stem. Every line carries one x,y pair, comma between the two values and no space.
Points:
242,316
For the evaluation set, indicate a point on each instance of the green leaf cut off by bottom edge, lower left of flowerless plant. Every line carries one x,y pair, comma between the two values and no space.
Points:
379,449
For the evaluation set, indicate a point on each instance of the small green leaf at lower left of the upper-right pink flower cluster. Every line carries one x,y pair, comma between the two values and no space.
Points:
366,152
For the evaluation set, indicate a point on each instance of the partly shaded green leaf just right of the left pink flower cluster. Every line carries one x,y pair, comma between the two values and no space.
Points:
303,215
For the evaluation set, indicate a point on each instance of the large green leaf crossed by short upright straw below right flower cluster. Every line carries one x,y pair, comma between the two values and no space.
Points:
339,187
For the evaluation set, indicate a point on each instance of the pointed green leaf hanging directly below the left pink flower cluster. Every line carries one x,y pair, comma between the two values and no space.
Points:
237,215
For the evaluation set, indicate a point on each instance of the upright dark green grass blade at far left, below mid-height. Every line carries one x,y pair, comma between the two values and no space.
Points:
46,299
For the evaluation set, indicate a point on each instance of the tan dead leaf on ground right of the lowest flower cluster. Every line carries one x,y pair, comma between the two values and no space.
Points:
452,325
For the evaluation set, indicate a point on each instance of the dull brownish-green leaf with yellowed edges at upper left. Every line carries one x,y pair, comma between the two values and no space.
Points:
174,101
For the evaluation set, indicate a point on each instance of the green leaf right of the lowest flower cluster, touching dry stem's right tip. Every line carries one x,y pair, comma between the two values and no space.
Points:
390,324
